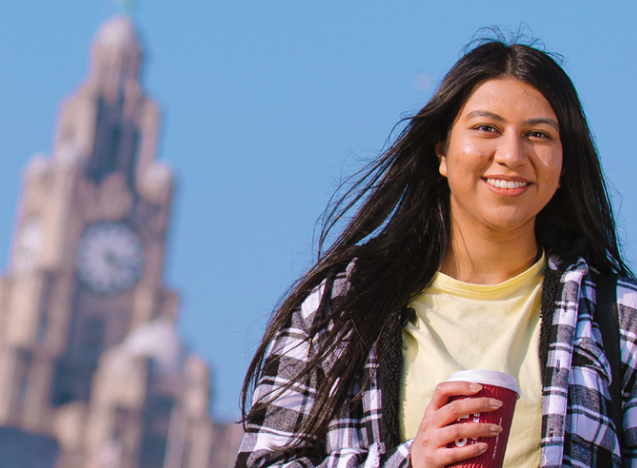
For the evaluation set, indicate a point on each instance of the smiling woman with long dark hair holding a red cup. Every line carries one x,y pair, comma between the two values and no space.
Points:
477,242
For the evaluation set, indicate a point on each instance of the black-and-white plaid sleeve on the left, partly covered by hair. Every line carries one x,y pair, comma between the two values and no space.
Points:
350,443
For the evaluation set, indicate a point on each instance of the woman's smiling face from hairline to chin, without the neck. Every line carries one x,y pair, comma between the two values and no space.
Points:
503,158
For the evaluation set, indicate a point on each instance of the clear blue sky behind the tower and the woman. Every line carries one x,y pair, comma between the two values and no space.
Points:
266,104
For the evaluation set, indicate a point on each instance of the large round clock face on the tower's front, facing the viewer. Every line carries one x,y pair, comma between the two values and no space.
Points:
109,257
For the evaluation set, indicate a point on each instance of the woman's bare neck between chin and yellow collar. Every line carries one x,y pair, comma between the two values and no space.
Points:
485,256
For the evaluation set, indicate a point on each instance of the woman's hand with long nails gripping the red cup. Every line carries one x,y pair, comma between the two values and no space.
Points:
429,449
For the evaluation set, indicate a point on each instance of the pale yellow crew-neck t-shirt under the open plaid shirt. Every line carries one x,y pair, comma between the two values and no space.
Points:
462,326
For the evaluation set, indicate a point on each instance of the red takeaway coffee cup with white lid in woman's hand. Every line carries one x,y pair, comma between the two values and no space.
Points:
496,385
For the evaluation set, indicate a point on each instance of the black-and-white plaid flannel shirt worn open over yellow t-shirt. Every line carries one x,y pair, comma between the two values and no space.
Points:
575,425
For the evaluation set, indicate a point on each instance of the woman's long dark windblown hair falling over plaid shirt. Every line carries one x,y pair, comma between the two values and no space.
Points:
400,228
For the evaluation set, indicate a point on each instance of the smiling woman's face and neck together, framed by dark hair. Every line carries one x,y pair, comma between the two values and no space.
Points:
502,160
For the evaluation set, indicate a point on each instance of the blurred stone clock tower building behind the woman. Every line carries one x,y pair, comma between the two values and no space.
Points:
93,373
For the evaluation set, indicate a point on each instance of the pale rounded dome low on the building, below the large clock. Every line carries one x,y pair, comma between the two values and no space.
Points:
157,340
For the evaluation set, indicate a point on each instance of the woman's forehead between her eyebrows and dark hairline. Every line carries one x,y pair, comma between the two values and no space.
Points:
509,98
